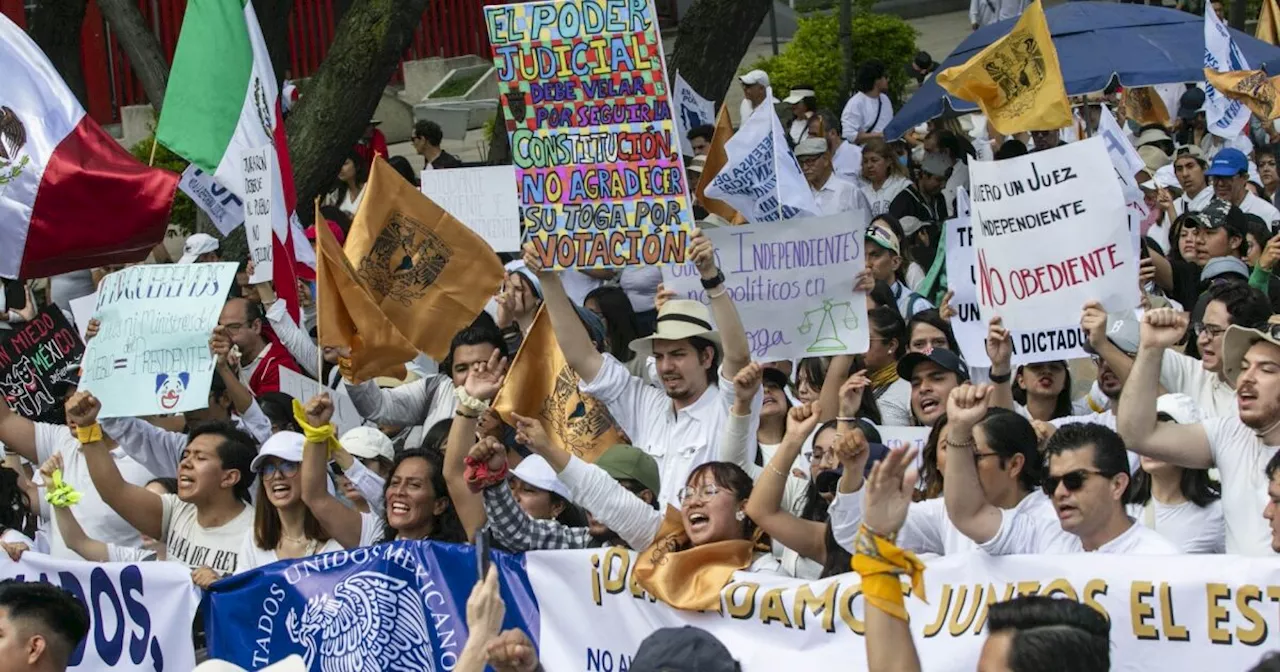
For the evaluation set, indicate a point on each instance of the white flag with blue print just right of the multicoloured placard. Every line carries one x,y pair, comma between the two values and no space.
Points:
761,177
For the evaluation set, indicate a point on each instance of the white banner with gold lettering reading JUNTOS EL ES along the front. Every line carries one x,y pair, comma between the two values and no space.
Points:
1185,612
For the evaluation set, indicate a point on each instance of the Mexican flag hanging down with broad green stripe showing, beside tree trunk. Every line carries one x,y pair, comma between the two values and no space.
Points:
222,102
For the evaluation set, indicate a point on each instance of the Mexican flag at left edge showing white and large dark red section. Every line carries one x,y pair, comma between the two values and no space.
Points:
71,196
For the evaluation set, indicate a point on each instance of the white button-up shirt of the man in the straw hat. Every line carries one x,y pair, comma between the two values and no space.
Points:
679,441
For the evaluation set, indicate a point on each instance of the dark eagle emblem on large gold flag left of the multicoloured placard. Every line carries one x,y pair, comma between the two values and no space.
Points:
405,262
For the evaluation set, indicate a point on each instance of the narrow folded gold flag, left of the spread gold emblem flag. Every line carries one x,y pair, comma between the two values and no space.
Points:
349,317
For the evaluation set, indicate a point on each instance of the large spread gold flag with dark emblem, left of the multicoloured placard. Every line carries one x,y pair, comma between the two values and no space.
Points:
428,272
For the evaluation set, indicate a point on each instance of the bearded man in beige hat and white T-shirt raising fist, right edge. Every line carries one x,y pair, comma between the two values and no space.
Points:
1238,445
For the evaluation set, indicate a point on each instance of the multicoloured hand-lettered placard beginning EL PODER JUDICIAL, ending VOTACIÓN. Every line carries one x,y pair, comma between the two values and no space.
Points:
593,135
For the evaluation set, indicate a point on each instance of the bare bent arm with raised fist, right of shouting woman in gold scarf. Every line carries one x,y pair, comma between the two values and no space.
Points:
765,508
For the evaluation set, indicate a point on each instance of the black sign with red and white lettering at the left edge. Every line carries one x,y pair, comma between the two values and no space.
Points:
35,360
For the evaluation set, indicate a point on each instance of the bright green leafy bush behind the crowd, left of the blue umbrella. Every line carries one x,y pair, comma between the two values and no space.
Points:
813,57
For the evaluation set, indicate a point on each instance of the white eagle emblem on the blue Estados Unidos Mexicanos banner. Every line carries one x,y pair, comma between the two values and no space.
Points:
373,623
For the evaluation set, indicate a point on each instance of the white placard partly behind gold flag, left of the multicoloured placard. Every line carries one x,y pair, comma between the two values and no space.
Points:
484,199
